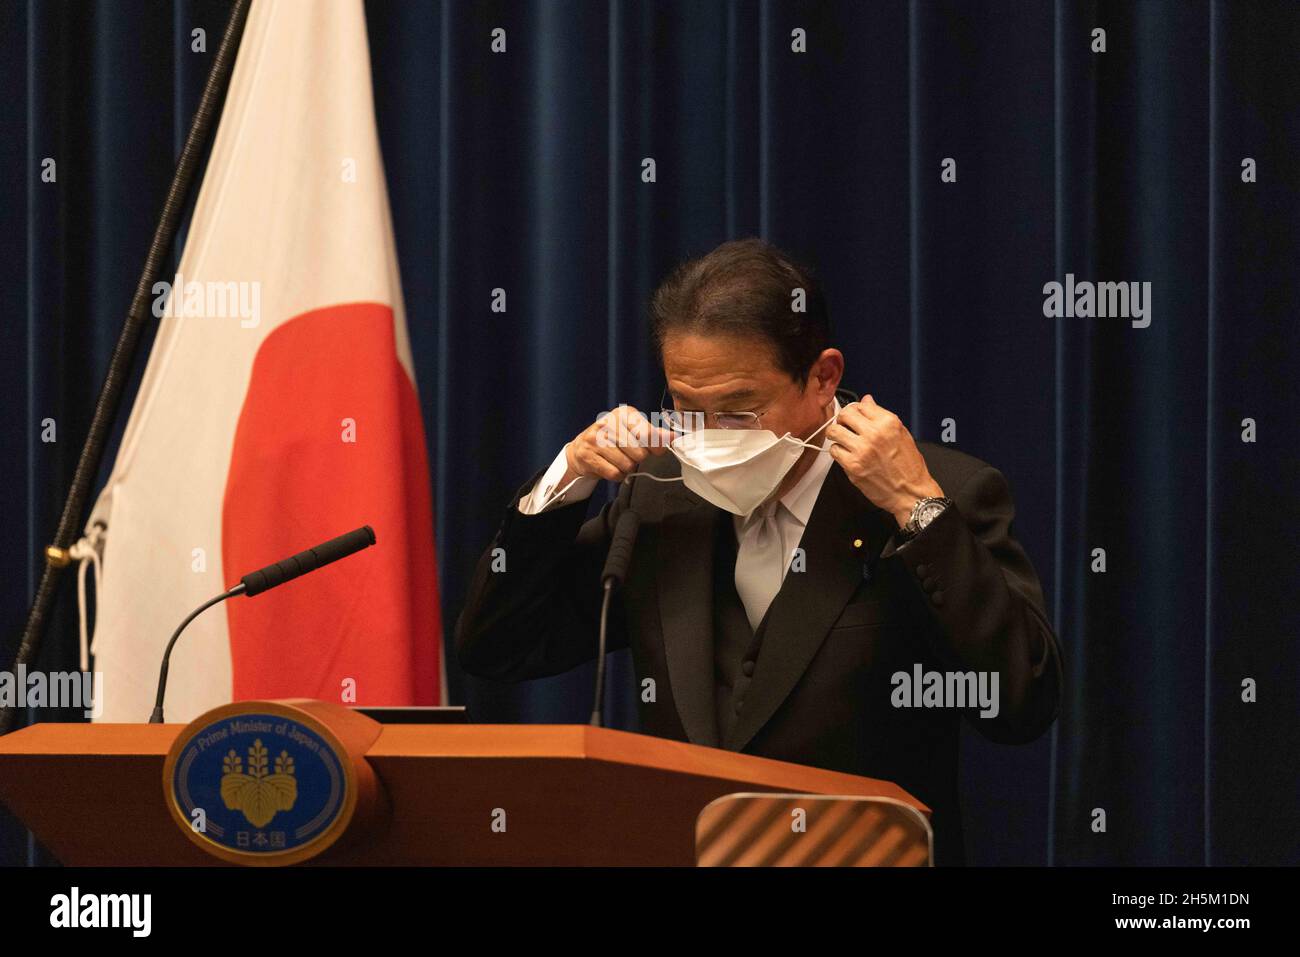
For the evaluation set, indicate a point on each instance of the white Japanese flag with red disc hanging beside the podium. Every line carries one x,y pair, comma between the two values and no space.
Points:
279,410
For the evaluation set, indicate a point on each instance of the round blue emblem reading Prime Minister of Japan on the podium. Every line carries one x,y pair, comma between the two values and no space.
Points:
258,785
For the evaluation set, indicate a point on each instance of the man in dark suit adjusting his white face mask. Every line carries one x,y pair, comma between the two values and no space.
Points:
813,560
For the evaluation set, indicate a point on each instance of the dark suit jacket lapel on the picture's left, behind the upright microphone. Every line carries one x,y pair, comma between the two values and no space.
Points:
684,561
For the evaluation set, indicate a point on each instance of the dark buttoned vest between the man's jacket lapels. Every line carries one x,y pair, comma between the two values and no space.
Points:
736,646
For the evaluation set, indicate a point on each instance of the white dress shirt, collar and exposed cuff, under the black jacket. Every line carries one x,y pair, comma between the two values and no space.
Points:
792,517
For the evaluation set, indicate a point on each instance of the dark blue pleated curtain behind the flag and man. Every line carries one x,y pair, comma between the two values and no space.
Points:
523,171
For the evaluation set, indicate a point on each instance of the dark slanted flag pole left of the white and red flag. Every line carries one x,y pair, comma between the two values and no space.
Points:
120,363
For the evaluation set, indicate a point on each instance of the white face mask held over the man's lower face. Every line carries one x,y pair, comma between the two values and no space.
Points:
736,470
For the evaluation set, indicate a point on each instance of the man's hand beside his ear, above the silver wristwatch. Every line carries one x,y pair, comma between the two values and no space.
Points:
881,458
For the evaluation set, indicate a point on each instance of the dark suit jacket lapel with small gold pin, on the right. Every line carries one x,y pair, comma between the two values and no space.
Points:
811,601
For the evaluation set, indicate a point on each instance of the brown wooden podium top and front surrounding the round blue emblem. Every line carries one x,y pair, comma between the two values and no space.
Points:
573,795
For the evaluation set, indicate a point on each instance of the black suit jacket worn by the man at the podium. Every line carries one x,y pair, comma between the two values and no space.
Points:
961,596
